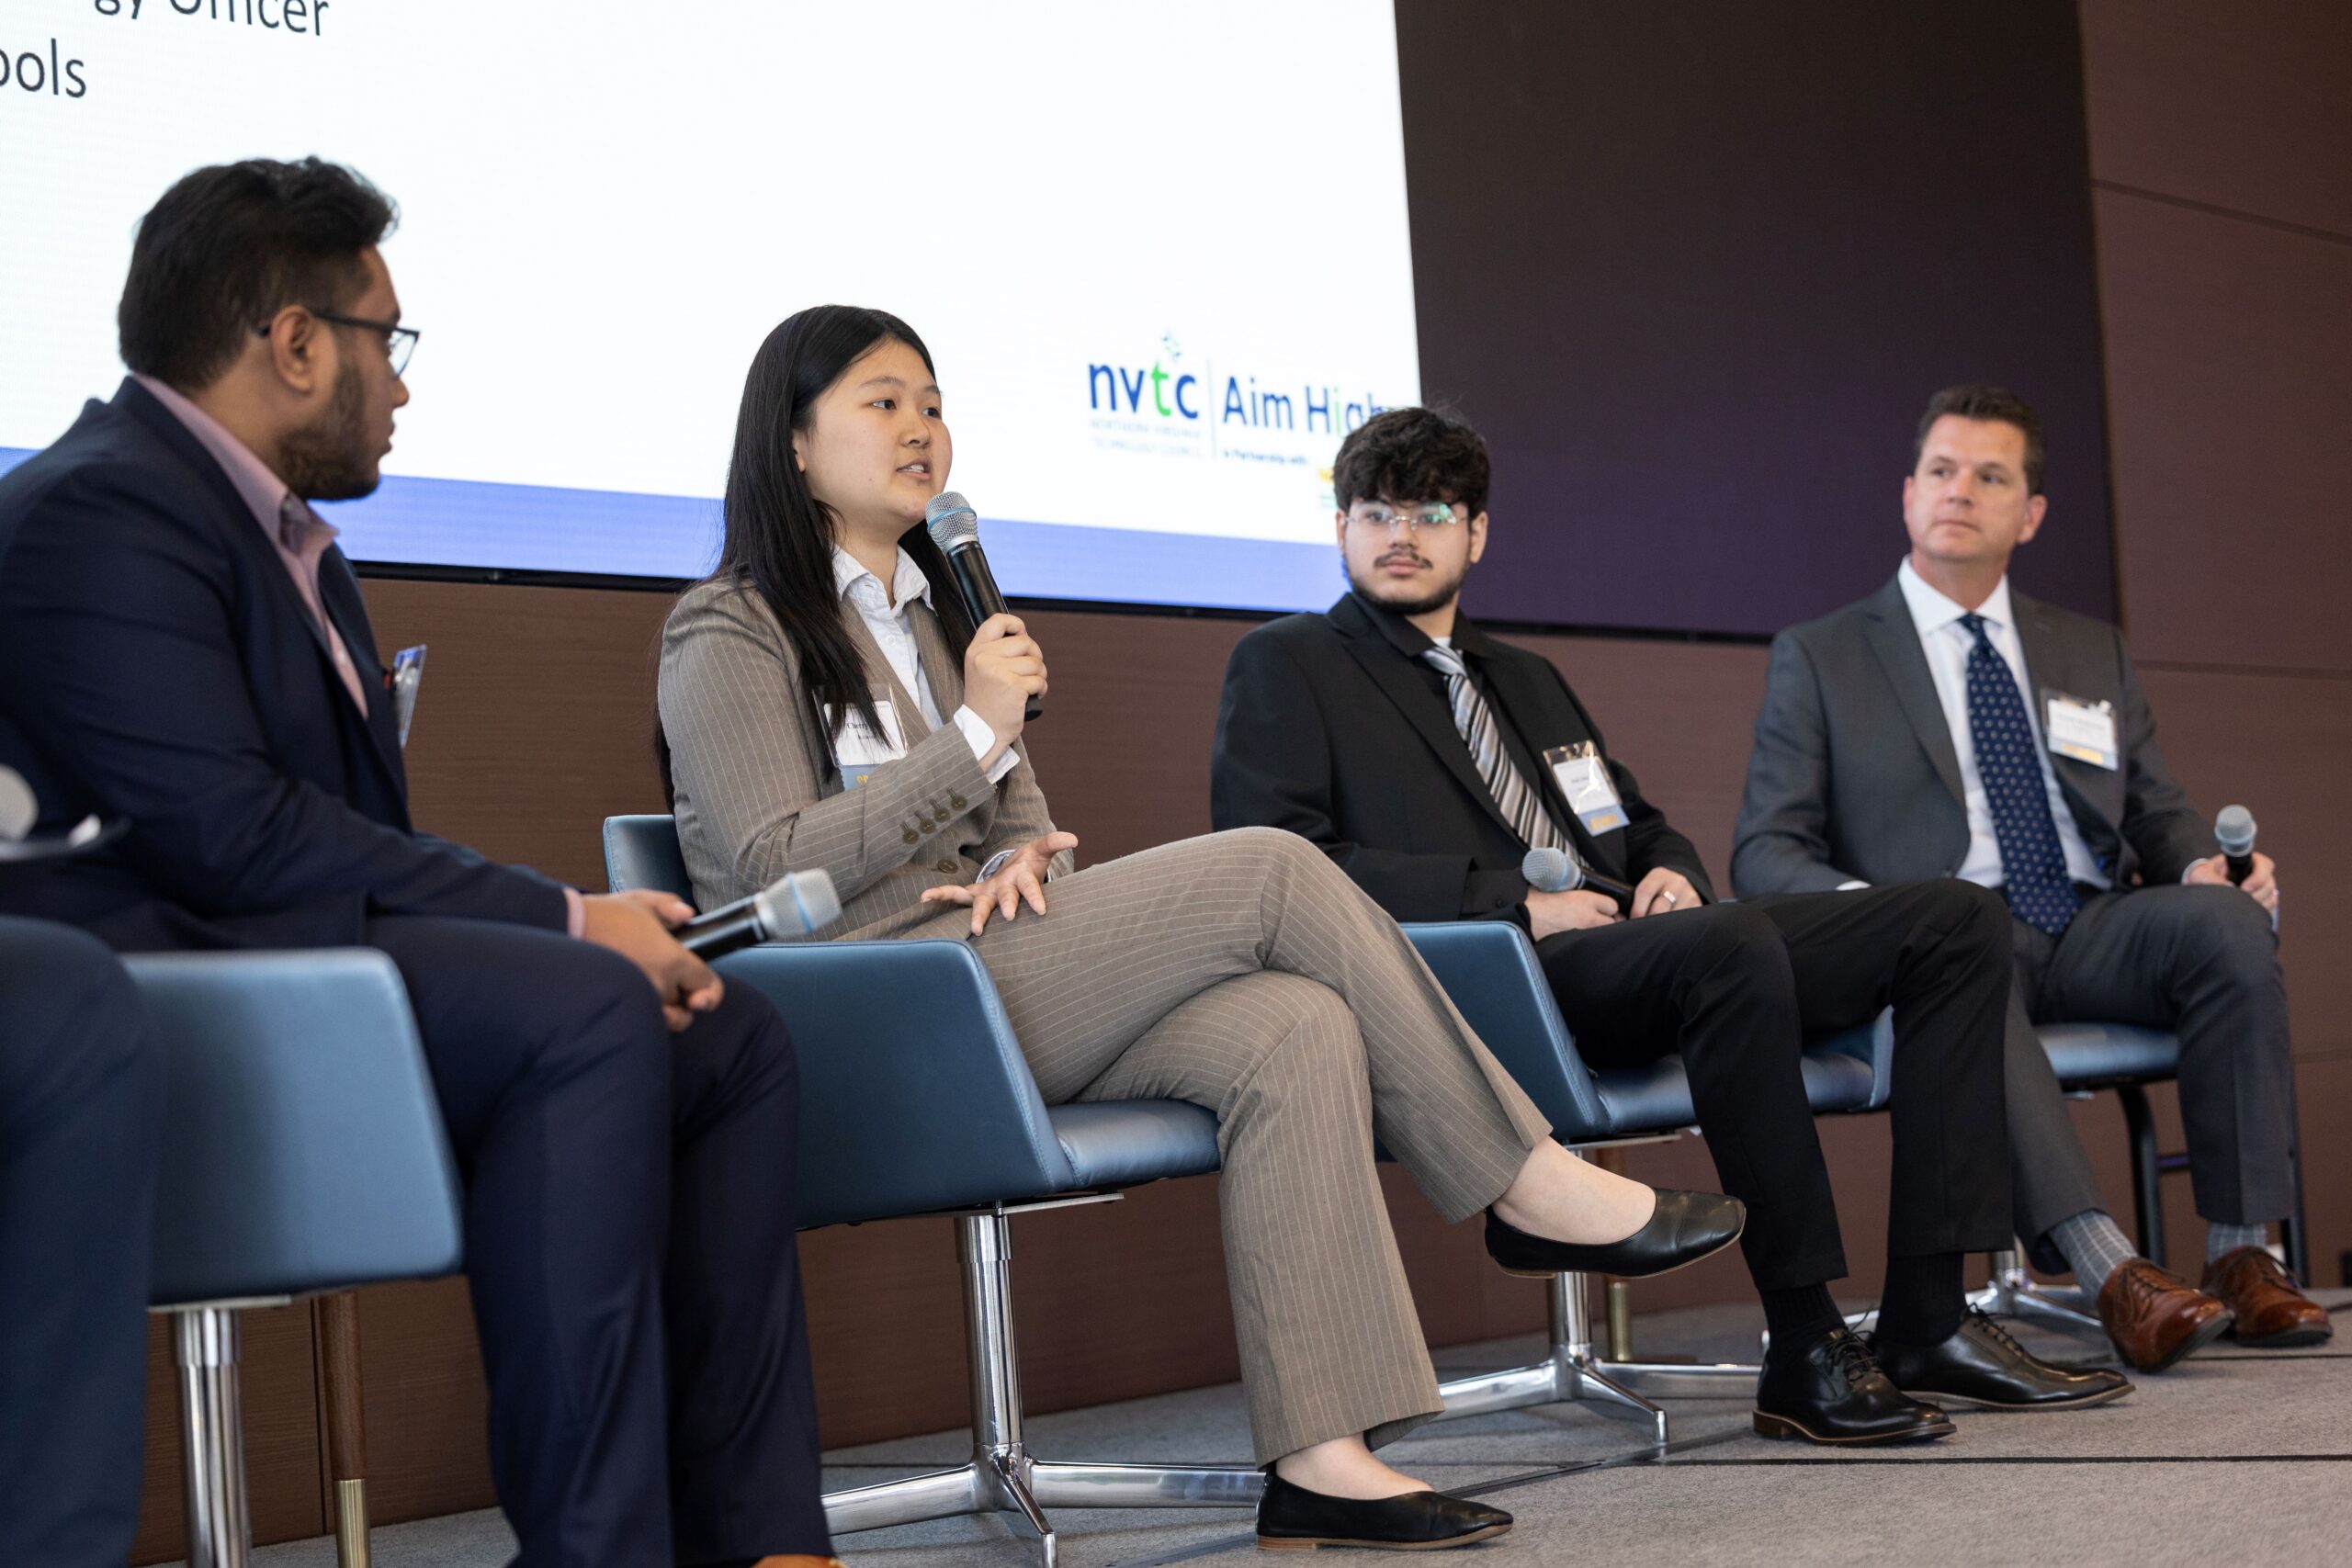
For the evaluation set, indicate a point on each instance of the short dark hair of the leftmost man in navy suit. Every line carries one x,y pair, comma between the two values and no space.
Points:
229,248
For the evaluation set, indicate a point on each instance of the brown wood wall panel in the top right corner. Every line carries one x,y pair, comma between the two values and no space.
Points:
2233,105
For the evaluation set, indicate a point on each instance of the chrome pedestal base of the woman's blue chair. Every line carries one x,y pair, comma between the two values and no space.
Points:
1001,1475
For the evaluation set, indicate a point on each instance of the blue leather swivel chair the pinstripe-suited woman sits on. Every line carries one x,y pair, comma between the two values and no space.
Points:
916,1101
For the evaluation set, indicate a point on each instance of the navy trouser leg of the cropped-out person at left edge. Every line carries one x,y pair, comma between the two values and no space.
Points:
81,1106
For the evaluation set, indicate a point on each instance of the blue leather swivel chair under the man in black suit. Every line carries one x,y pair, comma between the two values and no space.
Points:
1492,974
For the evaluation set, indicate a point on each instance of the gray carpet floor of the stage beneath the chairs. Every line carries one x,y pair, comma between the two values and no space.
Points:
2231,1459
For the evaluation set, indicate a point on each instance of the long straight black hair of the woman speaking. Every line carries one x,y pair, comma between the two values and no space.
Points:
780,535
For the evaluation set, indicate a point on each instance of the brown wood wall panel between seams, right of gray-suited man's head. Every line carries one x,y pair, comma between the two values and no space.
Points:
2229,408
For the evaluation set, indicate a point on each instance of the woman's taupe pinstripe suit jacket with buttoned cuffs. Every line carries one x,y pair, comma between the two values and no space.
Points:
759,793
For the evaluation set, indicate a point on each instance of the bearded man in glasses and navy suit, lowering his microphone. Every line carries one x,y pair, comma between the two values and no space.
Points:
185,648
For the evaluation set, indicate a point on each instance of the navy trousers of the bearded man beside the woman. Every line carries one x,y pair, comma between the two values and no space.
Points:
629,1242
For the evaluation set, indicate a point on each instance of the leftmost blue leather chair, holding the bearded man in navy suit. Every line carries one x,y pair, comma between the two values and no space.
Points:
302,1155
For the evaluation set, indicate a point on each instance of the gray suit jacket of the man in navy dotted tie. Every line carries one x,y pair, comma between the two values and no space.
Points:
1855,777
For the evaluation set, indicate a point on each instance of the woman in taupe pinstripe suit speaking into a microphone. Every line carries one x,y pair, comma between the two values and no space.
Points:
824,706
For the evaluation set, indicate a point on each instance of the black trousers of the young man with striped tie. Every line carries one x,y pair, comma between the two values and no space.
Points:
1739,986
